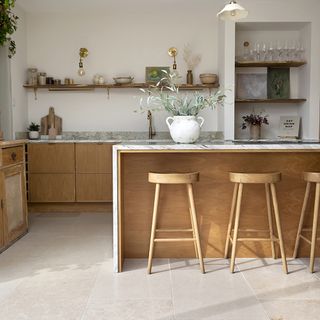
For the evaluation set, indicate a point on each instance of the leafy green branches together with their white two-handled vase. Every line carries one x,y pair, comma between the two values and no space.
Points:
183,123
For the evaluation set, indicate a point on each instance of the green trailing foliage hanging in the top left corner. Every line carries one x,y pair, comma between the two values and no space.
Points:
8,25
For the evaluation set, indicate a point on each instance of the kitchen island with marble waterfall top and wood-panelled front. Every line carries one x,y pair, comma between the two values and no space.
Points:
133,195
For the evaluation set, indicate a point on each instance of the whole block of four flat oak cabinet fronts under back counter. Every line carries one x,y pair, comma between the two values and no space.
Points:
70,172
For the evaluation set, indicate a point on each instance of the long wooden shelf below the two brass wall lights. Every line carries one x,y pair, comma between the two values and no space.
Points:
90,87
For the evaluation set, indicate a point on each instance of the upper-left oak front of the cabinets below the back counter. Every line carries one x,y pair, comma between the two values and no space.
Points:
51,158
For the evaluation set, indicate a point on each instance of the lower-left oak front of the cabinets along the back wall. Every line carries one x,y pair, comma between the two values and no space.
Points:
53,187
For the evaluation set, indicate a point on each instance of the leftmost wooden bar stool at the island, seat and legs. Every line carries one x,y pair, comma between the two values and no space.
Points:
175,178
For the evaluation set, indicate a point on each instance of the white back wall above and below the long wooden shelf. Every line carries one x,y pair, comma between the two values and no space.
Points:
120,42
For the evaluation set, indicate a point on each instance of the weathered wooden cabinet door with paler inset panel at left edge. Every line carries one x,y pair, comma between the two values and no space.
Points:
14,203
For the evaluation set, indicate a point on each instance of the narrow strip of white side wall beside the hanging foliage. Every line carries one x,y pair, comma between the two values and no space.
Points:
18,66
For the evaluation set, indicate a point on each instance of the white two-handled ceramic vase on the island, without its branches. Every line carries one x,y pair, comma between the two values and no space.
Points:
184,129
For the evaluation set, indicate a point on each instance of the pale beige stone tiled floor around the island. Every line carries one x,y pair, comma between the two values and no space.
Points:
62,270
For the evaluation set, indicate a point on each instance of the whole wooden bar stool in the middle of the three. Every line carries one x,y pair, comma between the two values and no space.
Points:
269,180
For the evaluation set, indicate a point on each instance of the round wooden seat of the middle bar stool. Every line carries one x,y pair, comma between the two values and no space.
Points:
268,177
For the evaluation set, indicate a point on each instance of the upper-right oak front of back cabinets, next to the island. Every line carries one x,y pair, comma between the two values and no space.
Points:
93,158
